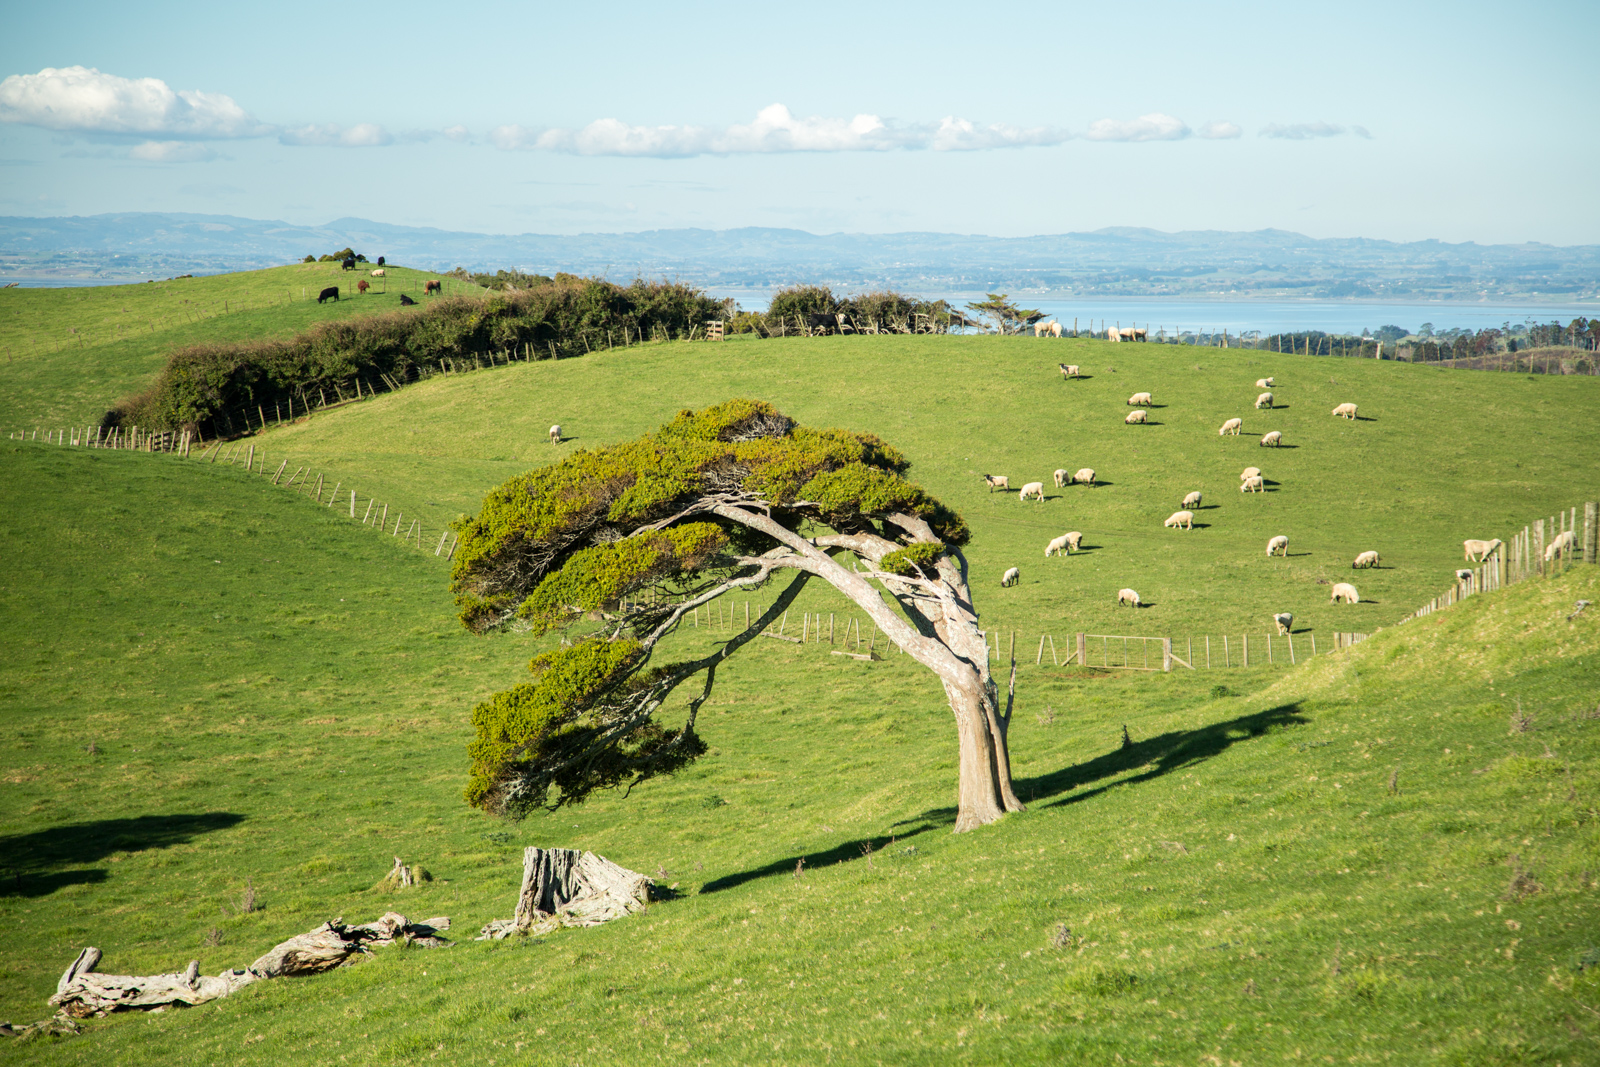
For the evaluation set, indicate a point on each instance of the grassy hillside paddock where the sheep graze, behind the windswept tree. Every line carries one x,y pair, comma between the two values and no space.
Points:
1436,458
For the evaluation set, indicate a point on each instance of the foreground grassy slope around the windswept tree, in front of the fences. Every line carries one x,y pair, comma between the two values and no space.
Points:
278,698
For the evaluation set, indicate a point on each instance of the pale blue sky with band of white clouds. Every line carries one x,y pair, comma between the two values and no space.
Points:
1394,121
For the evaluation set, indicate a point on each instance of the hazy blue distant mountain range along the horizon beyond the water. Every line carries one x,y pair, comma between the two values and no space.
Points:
1114,262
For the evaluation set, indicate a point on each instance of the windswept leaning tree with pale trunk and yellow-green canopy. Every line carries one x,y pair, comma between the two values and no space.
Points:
617,546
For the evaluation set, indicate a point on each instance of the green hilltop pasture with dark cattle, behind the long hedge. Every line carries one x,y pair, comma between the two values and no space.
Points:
66,356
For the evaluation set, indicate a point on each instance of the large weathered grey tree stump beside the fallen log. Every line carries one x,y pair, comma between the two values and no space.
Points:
562,887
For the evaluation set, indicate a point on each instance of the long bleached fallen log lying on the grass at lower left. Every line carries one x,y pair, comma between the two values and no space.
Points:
84,994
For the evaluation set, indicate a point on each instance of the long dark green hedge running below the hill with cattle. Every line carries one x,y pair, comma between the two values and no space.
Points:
212,388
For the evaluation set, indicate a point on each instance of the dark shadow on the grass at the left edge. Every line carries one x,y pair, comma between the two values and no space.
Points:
31,865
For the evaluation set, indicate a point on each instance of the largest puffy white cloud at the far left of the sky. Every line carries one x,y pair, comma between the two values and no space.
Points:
86,100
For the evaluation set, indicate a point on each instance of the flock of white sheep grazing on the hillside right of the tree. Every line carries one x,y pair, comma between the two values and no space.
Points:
1250,481
